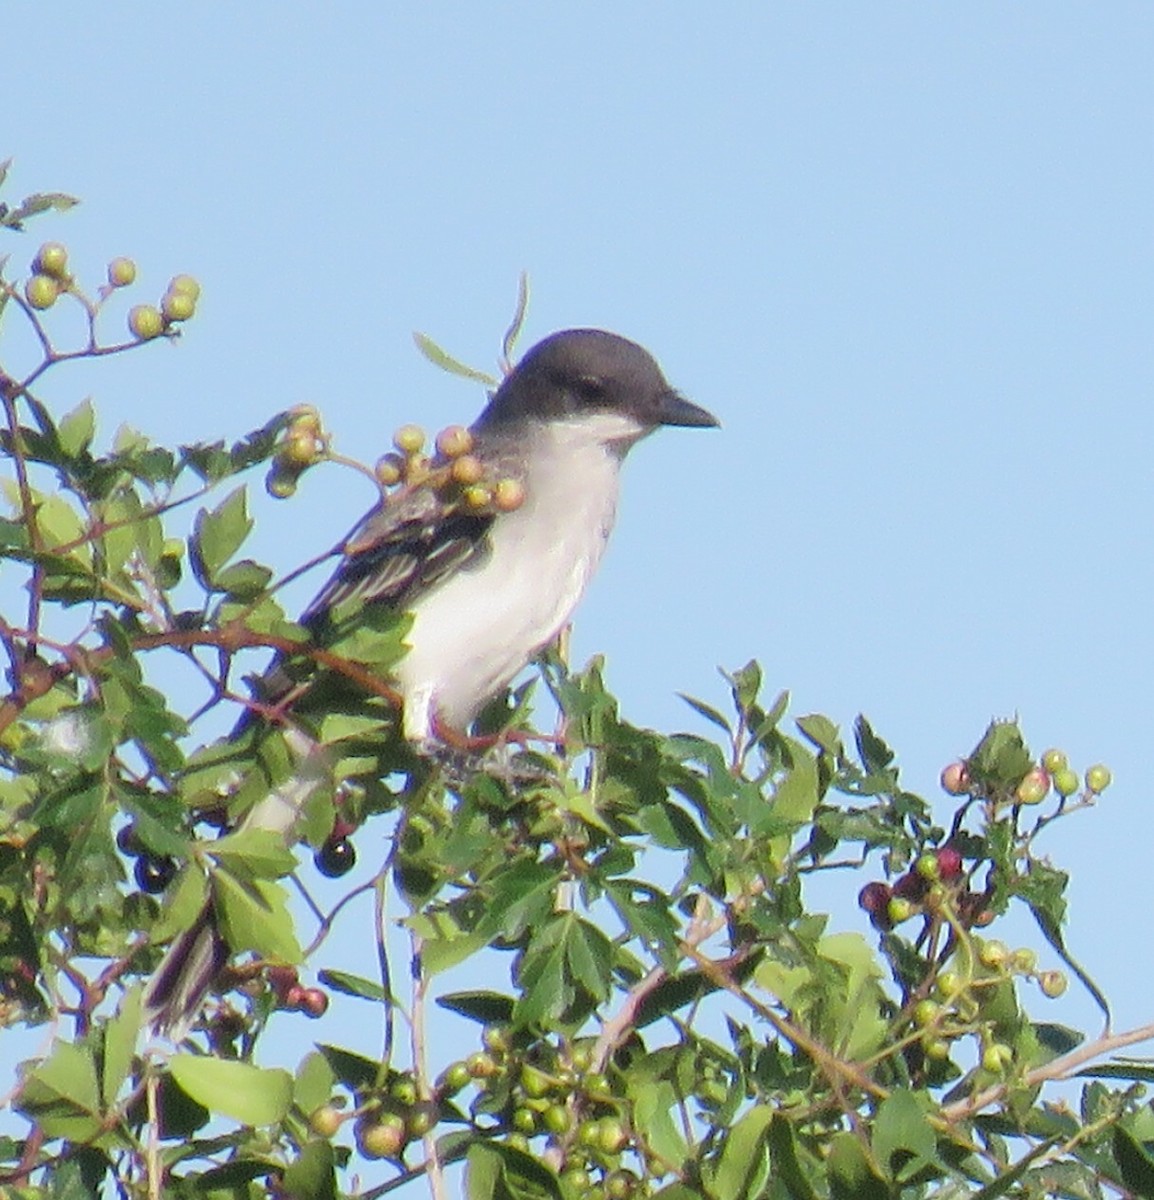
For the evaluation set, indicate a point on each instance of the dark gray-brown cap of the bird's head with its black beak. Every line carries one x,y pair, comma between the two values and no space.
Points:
588,371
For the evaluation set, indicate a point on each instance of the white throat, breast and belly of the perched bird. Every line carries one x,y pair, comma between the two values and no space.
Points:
478,629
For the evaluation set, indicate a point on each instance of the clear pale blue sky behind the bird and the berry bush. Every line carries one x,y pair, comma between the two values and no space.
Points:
905,253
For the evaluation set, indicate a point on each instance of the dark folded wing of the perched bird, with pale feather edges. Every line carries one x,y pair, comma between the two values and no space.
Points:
399,551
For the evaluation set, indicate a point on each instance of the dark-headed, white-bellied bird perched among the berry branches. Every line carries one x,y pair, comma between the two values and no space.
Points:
485,591
